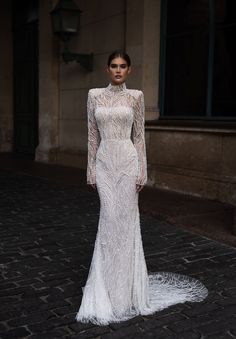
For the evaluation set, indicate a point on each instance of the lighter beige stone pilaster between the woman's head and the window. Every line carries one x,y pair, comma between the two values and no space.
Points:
143,45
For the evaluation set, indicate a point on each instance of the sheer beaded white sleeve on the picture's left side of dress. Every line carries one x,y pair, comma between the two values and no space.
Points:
93,140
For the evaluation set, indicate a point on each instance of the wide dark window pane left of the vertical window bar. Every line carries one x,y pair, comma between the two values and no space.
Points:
186,58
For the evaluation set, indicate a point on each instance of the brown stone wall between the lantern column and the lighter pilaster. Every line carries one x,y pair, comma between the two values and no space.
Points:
102,30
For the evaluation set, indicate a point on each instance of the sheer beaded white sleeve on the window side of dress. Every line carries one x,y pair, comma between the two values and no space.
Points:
139,139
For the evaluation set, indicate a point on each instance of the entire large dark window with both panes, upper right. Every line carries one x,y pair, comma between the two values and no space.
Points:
198,59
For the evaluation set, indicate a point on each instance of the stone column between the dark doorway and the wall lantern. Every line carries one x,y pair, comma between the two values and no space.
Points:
49,59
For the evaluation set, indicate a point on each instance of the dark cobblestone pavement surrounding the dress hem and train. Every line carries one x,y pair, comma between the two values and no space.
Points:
47,233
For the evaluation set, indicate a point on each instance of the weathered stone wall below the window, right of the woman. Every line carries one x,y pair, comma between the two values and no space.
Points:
201,162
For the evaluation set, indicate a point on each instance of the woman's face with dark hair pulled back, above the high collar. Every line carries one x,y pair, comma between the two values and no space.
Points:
118,71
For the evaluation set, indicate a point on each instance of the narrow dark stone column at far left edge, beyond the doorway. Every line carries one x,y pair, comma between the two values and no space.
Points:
6,78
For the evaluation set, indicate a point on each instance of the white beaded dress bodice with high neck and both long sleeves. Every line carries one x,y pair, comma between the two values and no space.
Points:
115,113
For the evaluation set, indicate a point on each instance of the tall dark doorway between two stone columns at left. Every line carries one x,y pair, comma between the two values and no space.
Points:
25,65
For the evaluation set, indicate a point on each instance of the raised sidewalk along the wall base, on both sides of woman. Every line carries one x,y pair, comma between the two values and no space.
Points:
206,217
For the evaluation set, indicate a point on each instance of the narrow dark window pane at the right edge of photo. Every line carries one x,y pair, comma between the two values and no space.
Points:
224,85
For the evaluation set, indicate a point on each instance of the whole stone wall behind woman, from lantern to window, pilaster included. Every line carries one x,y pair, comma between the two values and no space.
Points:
106,26
